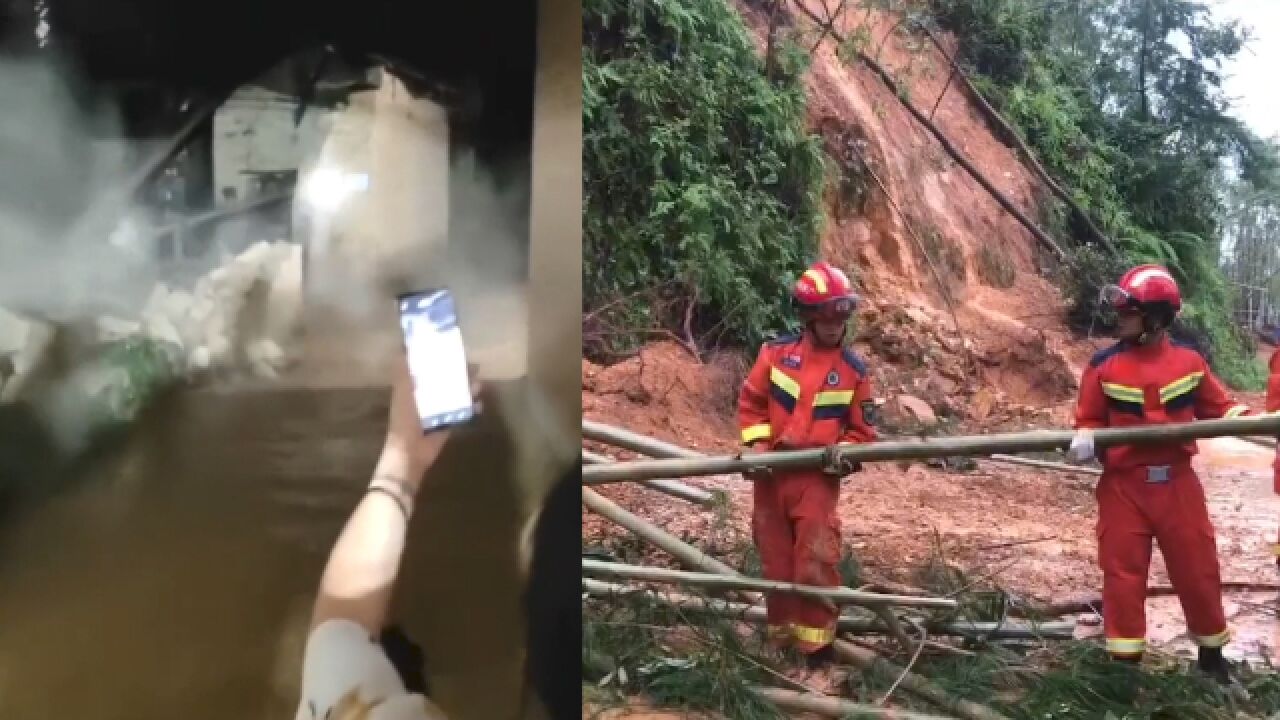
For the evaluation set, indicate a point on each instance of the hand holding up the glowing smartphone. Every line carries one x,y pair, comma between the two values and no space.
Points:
408,452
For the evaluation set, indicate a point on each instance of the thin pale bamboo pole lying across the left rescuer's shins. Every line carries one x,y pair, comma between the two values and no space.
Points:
719,581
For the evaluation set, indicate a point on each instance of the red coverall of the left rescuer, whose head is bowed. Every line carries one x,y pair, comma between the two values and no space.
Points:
802,395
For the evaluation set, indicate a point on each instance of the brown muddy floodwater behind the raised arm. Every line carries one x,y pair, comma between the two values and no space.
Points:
175,577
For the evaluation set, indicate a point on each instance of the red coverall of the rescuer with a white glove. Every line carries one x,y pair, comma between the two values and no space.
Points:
1151,491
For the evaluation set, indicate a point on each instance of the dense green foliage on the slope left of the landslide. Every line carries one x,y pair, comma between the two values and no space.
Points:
701,179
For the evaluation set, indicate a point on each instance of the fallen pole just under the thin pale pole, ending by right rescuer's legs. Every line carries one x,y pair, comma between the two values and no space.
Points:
849,625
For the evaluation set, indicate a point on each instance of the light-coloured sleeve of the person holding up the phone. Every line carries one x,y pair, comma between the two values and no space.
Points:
341,657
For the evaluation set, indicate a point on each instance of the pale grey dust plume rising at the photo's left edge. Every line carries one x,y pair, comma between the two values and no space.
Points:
61,167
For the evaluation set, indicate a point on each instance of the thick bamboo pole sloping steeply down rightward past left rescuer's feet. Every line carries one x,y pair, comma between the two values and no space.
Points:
851,653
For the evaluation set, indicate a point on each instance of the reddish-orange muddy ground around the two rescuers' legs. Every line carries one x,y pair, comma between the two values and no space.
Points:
1031,531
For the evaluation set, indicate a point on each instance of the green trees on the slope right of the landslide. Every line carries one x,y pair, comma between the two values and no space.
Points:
1123,102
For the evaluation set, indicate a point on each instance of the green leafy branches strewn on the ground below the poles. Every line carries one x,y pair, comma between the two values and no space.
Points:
694,662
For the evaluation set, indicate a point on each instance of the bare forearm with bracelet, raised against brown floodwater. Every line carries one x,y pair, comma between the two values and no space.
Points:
360,576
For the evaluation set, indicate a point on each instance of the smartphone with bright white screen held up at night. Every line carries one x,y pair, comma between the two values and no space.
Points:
437,359
